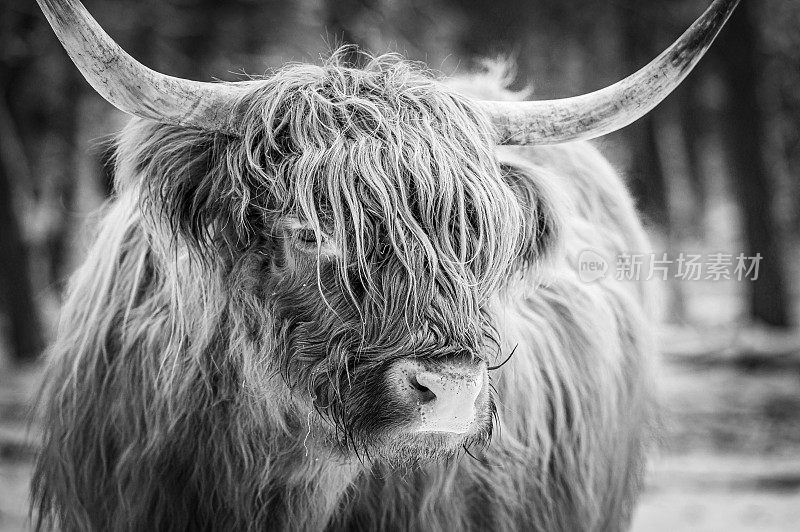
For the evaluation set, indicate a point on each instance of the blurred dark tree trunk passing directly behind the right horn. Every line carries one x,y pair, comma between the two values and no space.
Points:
647,177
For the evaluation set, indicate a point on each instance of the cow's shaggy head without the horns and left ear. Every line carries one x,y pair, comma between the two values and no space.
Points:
391,230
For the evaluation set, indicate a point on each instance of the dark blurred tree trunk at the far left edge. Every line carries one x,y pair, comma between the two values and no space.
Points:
17,303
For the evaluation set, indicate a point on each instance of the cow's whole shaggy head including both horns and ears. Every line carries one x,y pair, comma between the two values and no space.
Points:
363,215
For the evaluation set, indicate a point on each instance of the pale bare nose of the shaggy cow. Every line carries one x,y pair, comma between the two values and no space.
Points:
444,396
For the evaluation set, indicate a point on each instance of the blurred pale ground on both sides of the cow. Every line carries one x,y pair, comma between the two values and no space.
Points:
730,459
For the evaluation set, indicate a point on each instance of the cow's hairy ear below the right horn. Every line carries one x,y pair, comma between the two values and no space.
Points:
540,202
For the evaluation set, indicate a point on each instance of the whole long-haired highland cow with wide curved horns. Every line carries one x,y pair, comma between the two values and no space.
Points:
327,299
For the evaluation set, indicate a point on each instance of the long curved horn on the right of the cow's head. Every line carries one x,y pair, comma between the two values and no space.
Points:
614,107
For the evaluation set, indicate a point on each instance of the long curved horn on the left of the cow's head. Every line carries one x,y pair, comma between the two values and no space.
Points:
131,86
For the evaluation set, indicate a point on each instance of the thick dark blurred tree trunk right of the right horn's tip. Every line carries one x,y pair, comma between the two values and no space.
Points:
738,53
